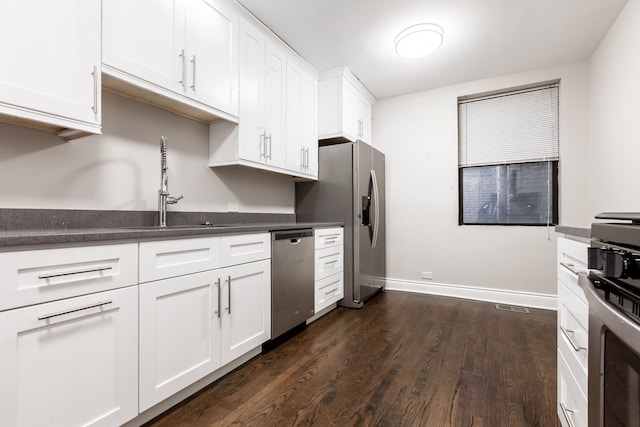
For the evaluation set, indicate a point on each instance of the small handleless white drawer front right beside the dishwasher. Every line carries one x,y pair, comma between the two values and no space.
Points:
244,248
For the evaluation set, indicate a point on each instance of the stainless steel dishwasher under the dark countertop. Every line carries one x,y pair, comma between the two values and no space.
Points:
292,279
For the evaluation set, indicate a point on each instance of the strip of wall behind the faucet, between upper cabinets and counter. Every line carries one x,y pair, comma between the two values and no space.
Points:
120,169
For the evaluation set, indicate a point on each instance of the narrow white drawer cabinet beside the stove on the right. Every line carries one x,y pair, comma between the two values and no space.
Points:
573,334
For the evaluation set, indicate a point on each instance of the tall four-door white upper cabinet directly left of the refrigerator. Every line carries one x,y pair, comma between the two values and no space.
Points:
277,129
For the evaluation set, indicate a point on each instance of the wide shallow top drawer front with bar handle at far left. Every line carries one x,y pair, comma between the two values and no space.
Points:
37,276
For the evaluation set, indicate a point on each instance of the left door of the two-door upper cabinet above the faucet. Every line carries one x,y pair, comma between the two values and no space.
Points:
145,38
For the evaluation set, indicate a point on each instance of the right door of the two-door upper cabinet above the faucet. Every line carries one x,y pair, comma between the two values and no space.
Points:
212,76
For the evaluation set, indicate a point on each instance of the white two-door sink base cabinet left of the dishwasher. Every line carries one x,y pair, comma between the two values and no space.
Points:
193,324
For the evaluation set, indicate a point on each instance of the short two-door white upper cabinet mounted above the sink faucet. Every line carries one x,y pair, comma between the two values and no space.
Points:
185,51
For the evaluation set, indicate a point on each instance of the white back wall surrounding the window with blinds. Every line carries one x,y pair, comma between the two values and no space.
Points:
418,134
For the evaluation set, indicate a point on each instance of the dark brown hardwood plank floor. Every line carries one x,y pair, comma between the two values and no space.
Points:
403,360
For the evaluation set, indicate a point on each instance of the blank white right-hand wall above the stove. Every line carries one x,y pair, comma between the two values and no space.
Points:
614,125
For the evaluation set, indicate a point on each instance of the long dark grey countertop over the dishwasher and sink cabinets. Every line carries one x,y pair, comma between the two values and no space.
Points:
88,235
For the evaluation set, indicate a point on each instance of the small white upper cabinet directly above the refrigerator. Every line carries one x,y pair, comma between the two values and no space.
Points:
344,107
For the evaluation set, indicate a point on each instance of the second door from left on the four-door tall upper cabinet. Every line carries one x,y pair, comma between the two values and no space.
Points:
275,106
